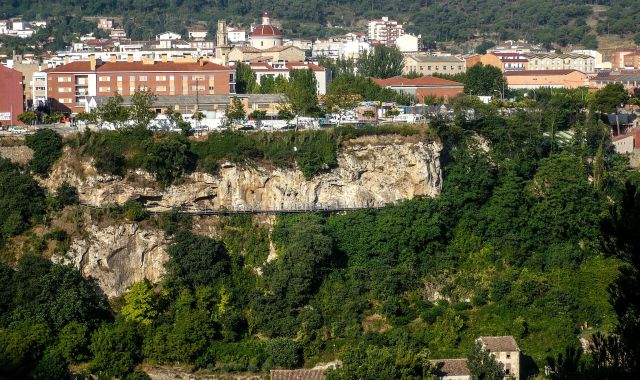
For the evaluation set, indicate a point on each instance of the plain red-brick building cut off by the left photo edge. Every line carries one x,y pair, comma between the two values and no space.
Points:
11,95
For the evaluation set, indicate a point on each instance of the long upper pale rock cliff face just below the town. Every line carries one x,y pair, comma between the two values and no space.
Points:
372,171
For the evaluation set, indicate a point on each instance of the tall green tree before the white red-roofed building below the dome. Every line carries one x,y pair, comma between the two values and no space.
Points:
301,93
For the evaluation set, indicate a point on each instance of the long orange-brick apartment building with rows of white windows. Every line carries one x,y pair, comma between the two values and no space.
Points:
70,87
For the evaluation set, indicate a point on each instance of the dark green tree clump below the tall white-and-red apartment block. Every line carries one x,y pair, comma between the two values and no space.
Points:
384,62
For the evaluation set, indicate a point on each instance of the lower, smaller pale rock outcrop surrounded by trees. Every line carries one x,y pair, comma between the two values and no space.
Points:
118,256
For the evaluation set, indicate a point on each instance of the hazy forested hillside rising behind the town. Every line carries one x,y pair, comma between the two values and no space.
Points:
563,22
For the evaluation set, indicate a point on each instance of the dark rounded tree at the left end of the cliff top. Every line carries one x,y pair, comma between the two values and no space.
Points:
47,148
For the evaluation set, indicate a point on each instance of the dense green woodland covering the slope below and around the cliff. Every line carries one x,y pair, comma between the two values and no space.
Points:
530,237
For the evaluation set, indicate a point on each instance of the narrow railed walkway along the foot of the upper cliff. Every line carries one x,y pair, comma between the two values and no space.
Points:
242,209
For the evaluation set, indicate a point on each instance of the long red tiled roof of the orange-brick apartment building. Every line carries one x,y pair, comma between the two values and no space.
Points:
84,66
